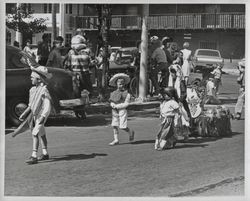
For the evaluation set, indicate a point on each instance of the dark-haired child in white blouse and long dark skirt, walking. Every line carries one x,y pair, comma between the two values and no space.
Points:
168,109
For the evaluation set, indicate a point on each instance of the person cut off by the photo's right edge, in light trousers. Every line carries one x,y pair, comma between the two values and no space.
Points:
241,97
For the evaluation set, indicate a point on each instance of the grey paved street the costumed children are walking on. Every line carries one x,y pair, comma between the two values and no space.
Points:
82,163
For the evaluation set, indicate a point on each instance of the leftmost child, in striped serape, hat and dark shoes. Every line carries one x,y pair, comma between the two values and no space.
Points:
38,111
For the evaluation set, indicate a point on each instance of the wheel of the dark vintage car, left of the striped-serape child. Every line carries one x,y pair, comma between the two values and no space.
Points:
15,107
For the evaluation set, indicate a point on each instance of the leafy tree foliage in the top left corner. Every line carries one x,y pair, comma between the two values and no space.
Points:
21,19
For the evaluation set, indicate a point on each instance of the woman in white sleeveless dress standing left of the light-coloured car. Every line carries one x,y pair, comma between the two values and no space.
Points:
186,68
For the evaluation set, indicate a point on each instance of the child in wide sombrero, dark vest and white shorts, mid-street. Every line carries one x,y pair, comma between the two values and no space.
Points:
119,101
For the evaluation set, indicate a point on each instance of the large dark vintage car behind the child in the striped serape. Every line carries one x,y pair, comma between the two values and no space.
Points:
18,84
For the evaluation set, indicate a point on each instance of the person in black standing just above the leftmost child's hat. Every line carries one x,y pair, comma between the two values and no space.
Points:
43,50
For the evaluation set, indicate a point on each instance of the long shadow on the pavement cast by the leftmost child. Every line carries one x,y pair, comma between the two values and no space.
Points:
70,157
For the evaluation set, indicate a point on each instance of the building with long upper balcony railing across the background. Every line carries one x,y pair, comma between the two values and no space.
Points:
213,26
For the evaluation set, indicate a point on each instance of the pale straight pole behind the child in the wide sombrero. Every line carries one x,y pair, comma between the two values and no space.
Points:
144,54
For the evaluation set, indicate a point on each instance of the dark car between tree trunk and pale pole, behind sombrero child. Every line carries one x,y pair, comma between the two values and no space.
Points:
123,61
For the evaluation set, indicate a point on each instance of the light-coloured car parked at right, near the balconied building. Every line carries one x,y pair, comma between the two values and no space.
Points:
206,58
